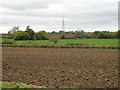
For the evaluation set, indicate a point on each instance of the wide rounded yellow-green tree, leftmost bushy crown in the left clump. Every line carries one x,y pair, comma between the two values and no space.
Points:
21,35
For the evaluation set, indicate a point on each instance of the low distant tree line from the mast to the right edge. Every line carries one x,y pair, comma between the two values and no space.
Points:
96,34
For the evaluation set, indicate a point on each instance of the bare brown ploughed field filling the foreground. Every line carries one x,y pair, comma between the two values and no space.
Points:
61,68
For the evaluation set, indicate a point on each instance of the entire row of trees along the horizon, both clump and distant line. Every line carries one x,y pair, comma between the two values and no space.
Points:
29,34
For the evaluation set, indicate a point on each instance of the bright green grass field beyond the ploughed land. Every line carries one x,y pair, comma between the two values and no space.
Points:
95,42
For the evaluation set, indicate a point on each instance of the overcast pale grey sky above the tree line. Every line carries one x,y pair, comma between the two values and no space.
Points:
89,15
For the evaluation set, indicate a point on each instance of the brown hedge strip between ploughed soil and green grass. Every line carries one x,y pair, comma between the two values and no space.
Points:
58,46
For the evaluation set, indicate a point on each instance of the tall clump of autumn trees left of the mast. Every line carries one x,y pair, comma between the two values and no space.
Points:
28,34
